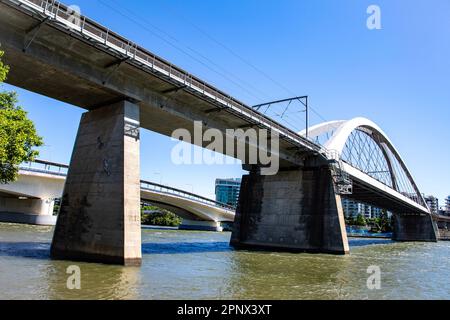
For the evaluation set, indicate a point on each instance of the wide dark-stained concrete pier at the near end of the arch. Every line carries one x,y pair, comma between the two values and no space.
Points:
295,210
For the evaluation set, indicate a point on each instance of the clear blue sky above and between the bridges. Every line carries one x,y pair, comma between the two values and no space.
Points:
397,76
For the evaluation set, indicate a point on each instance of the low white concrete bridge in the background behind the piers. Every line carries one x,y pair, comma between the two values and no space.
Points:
31,199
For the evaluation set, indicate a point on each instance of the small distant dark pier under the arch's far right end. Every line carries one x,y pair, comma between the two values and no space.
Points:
410,227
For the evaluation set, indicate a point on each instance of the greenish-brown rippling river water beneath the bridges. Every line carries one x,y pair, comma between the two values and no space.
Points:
201,265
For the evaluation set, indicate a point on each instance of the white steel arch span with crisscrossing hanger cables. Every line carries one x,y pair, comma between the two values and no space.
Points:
365,154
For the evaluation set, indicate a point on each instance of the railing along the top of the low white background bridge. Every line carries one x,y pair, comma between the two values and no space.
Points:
54,168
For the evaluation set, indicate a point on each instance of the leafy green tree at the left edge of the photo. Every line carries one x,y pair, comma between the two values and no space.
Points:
18,136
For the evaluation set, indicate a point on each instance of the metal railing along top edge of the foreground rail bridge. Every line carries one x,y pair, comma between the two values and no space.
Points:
58,13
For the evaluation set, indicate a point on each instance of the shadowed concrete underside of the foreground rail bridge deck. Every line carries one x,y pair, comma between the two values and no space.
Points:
69,68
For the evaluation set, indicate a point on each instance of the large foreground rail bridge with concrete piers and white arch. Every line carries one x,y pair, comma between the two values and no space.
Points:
125,87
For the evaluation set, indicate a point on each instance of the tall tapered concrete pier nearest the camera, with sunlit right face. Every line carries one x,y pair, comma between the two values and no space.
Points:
99,219
